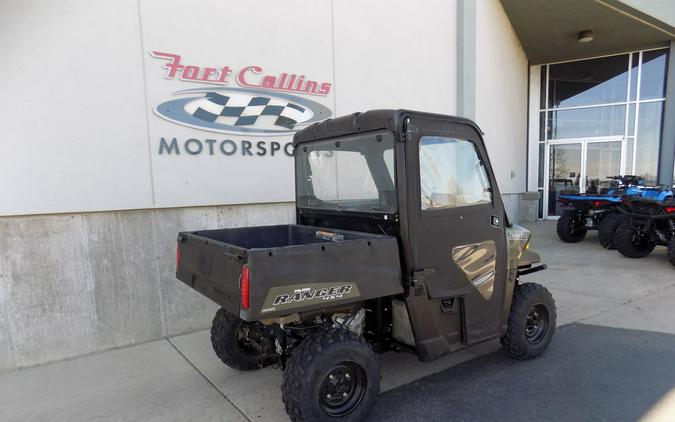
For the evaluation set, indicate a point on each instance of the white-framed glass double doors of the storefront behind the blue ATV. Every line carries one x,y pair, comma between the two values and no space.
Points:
581,166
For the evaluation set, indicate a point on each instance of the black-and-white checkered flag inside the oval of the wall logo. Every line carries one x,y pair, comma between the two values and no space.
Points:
245,110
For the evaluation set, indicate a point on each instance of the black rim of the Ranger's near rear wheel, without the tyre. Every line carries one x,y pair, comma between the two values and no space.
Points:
342,389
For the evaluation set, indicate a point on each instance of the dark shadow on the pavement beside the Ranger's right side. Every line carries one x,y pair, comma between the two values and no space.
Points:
590,373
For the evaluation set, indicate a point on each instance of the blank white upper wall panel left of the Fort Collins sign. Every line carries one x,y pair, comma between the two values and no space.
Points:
74,133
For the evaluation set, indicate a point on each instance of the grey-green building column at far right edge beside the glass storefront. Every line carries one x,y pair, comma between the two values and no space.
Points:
667,150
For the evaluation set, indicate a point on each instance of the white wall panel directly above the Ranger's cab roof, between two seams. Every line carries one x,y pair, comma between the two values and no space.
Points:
398,54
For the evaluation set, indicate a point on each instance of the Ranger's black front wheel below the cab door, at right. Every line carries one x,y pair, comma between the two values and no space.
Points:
531,322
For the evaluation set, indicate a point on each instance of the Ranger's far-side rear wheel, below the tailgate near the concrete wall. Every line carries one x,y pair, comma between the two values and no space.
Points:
236,342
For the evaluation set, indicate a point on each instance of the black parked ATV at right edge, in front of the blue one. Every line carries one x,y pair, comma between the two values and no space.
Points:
648,223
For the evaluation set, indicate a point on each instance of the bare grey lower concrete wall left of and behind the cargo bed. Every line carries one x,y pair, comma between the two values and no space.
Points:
72,284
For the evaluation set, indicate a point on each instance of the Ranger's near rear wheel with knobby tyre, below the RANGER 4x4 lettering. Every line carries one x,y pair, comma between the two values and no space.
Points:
331,374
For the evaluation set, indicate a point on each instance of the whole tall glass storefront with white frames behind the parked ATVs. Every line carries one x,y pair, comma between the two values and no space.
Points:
598,117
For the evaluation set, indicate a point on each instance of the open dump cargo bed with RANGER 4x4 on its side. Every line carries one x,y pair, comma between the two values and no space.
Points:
291,268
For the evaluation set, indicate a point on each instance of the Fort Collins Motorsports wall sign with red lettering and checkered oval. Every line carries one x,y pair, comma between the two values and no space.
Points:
260,105
